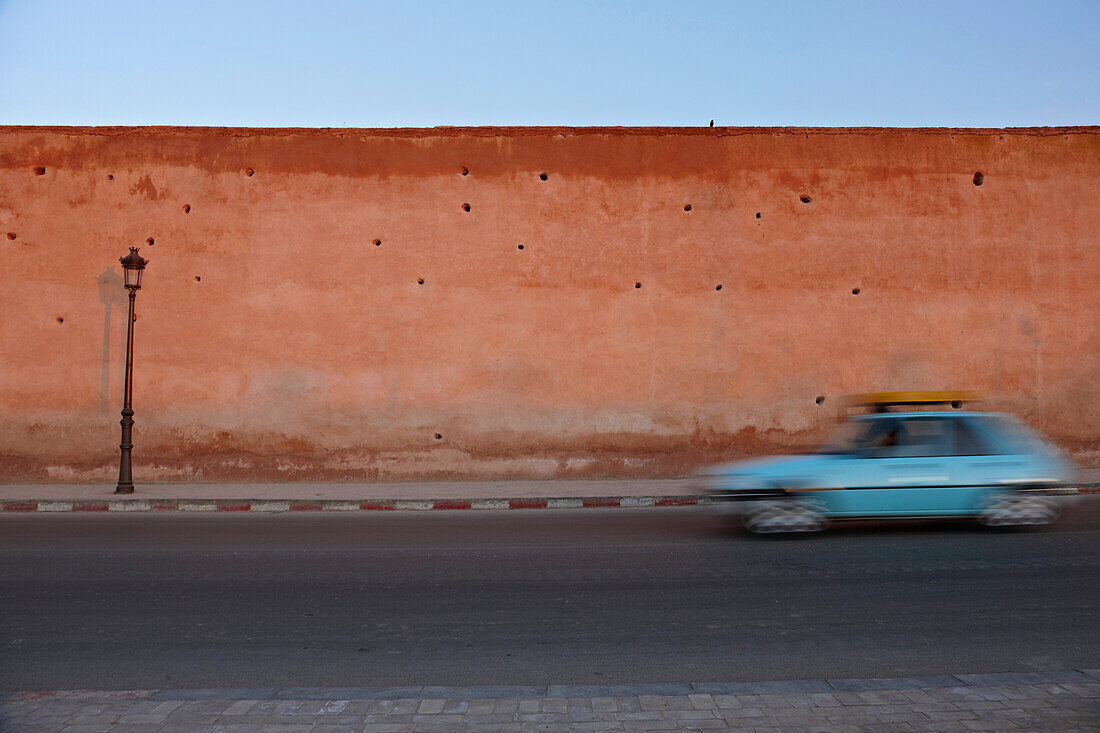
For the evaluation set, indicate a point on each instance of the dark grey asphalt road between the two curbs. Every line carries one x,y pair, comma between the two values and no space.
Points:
531,598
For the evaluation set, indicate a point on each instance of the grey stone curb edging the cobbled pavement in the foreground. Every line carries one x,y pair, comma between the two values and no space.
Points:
494,692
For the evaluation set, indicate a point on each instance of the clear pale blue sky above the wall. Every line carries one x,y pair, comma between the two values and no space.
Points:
265,63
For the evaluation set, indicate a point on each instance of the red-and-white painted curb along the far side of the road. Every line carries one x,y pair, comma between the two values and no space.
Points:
269,507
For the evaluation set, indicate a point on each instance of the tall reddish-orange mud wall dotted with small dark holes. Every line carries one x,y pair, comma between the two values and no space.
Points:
398,304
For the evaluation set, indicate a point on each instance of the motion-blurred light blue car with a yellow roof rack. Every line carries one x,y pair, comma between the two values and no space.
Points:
903,461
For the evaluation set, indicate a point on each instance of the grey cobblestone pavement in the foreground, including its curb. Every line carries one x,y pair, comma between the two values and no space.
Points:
1055,702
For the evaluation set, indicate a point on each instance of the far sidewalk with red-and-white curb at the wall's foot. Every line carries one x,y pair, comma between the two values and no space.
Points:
372,497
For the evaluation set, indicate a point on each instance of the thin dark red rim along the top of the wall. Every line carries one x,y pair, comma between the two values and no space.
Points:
532,132
